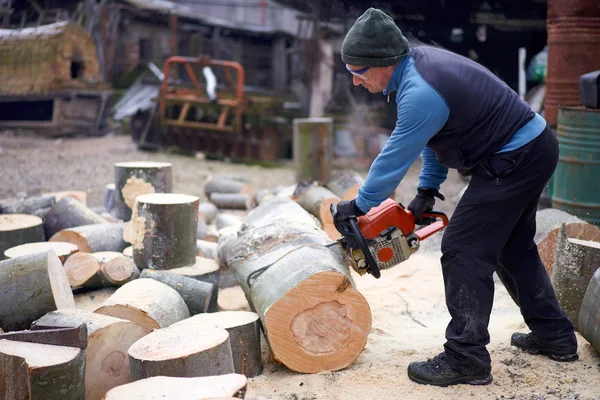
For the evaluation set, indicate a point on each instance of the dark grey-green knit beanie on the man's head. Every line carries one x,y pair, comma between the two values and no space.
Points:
374,41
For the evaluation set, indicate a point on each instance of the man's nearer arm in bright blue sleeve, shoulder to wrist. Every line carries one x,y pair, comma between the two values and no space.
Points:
422,112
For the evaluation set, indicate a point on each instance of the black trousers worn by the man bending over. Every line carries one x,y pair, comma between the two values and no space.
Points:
491,230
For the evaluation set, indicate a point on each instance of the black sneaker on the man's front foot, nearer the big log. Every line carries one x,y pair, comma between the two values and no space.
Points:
442,370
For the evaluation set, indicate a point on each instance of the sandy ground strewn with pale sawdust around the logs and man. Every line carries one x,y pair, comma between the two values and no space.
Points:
409,313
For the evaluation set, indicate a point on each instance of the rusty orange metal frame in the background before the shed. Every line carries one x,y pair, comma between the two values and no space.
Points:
233,103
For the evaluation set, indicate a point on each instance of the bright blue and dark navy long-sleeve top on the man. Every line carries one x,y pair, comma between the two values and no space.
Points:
453,112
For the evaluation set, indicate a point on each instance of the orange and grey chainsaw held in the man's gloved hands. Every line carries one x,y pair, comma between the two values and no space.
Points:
385,236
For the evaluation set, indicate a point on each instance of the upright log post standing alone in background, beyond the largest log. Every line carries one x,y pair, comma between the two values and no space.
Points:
313,148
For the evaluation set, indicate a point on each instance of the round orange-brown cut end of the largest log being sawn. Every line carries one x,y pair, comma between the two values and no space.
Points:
301,343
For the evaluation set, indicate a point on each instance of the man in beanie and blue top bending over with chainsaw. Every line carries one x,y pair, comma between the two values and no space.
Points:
457,114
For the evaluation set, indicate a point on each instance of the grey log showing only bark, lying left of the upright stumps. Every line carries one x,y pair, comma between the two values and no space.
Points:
69,213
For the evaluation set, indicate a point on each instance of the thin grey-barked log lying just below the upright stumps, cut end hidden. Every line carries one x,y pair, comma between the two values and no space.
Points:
195,293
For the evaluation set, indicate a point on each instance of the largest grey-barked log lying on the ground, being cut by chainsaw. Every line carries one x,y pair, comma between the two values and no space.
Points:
313,317
